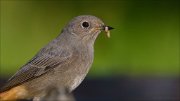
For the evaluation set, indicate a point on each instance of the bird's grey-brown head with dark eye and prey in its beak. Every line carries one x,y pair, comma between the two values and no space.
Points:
87,27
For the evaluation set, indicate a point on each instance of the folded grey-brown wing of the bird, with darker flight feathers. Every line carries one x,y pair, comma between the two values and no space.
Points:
38,66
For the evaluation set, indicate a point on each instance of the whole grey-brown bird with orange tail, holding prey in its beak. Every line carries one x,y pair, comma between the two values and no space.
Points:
63,62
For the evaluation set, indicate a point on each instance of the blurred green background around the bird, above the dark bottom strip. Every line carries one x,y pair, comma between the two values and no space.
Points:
145,40
